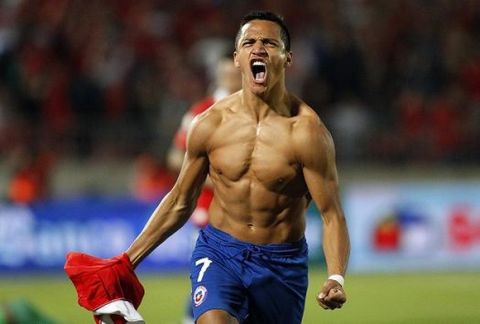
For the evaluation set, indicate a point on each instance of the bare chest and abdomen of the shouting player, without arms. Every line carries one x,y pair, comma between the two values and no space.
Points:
260,192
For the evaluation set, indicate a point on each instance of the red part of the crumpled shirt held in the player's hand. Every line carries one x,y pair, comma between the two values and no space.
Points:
100,281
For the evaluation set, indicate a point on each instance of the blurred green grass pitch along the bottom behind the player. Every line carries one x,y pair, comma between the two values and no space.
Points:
386,298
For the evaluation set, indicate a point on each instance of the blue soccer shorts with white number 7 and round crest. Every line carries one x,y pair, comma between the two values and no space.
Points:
254,283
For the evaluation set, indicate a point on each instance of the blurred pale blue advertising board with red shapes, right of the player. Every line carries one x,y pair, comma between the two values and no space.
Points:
413,226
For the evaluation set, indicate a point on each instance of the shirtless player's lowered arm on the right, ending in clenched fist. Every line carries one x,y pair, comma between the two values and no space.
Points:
316,151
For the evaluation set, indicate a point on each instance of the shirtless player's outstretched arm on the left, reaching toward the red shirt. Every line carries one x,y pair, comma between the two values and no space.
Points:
176,207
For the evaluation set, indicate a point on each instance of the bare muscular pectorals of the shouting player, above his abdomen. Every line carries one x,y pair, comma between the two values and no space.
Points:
260,152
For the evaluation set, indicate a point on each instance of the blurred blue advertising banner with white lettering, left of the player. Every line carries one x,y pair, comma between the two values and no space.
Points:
37,237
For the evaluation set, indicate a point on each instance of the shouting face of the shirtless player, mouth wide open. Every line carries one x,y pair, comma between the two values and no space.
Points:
261,55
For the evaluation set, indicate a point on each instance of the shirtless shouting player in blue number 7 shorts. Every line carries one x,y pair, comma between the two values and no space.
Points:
266,153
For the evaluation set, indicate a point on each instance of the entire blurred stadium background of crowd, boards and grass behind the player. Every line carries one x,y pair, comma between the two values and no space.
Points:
91,93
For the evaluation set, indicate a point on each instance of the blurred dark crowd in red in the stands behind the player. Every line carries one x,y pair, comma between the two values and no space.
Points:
395,81
